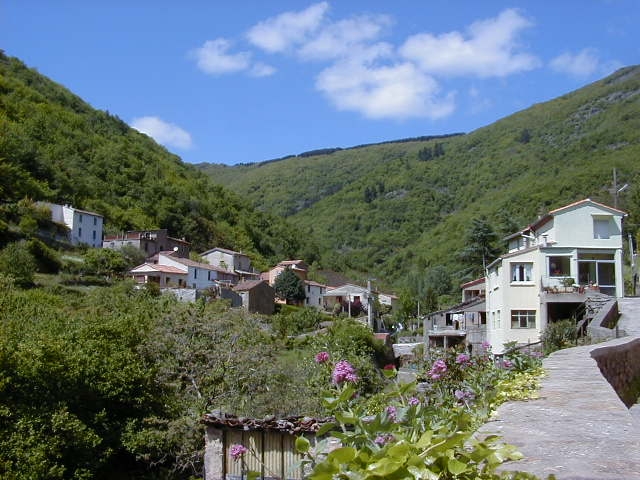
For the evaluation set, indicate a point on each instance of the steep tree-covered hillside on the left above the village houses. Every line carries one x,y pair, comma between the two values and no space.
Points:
54,146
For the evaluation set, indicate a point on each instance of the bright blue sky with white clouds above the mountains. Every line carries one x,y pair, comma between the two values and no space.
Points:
246,81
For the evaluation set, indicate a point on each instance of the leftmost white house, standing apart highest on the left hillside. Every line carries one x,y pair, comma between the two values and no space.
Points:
85,228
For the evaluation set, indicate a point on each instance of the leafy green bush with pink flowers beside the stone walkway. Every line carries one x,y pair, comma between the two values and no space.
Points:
419,434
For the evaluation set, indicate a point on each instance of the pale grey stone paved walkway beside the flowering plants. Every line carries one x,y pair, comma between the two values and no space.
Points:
578,428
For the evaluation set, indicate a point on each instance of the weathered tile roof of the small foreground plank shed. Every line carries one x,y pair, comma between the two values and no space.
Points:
292,425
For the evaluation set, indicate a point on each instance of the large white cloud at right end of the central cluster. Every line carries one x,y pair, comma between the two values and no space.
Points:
488,50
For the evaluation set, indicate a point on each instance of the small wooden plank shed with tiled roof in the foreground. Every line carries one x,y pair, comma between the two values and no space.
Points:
270,443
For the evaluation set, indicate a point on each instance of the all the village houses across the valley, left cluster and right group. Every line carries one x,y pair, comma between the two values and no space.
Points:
564,265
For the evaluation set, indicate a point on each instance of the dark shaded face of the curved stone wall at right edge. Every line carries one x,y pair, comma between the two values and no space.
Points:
620,365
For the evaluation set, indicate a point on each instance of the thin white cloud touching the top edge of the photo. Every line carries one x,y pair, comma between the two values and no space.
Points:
279,33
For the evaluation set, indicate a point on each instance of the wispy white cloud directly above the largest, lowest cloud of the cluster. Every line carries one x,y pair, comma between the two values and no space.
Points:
341,38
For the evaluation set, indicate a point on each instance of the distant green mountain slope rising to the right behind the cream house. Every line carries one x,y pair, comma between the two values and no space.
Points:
392,208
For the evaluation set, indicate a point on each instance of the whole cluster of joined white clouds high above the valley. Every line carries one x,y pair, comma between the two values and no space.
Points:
364,74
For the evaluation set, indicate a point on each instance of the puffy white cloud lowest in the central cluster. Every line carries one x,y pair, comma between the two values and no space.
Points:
397,91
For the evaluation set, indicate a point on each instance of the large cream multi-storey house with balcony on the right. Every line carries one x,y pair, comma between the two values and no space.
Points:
550,269
